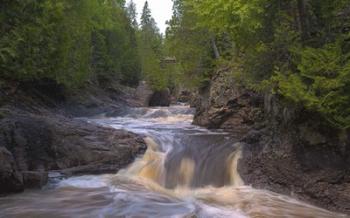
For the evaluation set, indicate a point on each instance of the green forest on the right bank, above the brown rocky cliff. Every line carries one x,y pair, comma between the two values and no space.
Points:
299,49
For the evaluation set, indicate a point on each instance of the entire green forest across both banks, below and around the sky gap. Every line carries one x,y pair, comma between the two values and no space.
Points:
298,49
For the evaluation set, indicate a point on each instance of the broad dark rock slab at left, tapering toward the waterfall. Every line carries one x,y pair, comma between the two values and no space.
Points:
31,145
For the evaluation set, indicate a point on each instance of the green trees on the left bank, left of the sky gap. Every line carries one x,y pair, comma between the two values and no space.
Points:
67,41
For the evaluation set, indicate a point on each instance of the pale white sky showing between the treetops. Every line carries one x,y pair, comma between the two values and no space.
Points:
161,11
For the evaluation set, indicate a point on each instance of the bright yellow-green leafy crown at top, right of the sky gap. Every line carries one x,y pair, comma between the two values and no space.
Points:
240,18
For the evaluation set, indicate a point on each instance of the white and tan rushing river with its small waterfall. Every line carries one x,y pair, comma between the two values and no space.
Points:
186,171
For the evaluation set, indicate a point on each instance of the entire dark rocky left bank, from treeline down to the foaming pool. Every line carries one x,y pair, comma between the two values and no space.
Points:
39,132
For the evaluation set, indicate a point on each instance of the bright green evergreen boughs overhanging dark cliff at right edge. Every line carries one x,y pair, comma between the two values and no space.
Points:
322,83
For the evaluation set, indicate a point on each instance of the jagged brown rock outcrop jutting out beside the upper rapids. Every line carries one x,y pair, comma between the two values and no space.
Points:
223,105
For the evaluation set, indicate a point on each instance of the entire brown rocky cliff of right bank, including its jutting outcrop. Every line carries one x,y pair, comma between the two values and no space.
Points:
287,149
